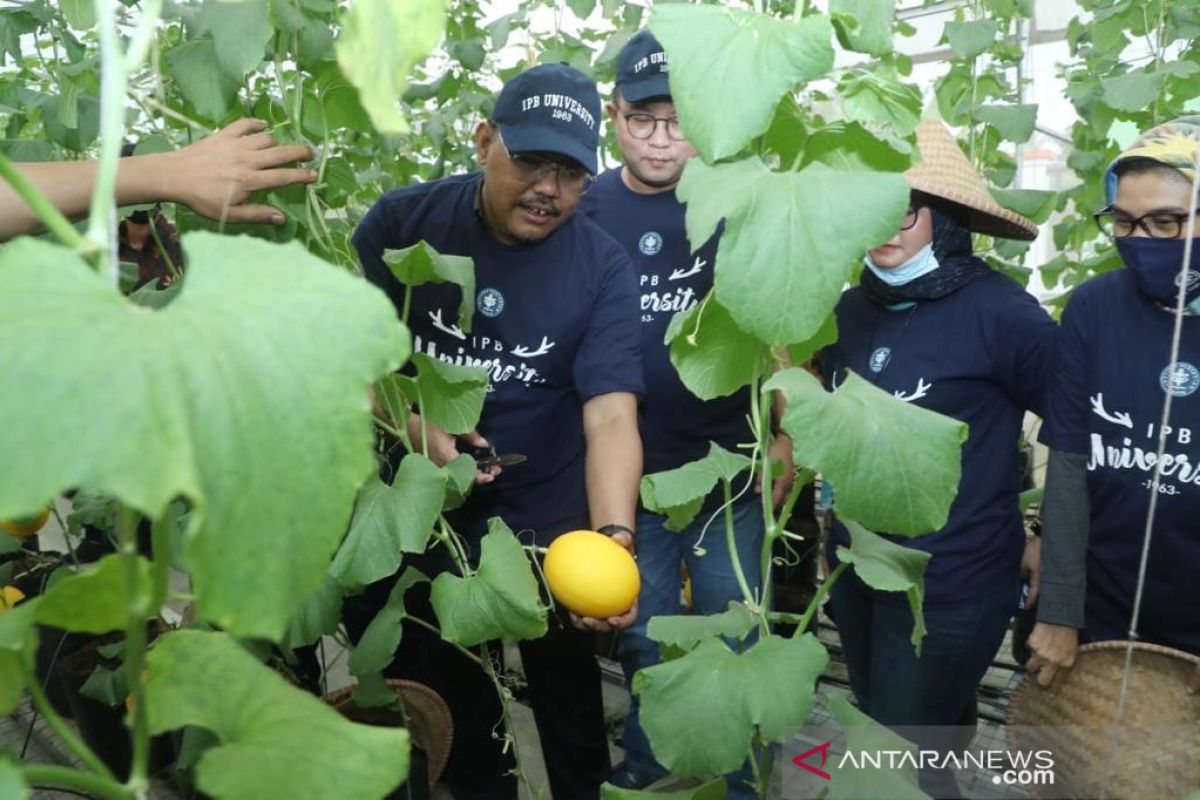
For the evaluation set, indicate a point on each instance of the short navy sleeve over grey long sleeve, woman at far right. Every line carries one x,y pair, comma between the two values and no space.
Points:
1067,392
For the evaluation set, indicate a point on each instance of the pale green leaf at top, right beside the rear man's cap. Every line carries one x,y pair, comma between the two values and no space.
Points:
727,58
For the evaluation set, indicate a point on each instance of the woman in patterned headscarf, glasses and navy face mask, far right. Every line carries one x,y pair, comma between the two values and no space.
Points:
1112,375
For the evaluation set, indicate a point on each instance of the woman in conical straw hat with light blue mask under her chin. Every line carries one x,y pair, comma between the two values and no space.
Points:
934,326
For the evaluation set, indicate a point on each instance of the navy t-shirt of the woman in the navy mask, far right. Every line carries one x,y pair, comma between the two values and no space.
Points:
1111,375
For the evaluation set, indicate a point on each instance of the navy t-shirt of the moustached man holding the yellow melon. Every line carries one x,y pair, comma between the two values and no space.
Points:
555,324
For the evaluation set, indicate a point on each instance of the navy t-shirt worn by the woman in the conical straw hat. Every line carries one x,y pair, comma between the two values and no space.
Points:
979,356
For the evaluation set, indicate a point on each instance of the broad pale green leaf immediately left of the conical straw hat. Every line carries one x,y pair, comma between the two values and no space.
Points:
791,239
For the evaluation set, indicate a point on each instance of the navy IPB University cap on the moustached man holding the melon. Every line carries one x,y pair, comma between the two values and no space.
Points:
551,109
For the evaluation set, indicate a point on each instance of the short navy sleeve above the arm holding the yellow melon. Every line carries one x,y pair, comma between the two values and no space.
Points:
610,356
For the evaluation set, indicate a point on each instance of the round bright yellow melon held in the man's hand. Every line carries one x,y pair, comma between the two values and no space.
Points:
592,575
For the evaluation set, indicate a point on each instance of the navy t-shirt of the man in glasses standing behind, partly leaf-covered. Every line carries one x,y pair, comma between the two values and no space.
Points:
677,426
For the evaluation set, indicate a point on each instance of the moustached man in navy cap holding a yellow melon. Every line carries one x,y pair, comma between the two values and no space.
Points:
555,323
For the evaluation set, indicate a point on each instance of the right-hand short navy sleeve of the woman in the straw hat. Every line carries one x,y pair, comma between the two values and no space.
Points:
1023,344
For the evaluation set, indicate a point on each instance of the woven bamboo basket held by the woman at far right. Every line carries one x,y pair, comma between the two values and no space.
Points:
1155,754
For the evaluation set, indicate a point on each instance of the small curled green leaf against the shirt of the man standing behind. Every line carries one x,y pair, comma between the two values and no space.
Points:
713,356
